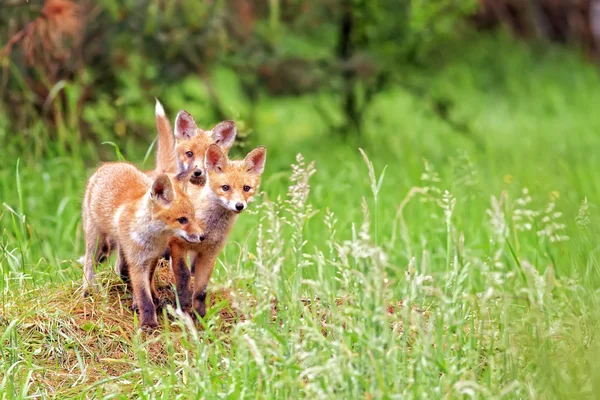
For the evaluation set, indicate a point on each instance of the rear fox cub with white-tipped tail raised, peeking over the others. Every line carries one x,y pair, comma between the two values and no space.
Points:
189,142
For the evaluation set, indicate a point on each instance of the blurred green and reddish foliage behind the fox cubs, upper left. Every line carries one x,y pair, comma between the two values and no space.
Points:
90,70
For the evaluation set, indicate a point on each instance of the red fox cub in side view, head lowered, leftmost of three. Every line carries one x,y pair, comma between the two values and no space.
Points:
123,205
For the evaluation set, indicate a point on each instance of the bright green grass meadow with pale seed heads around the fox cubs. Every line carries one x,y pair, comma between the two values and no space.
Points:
446,282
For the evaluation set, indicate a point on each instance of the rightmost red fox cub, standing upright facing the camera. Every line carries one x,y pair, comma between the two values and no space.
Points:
230,186
